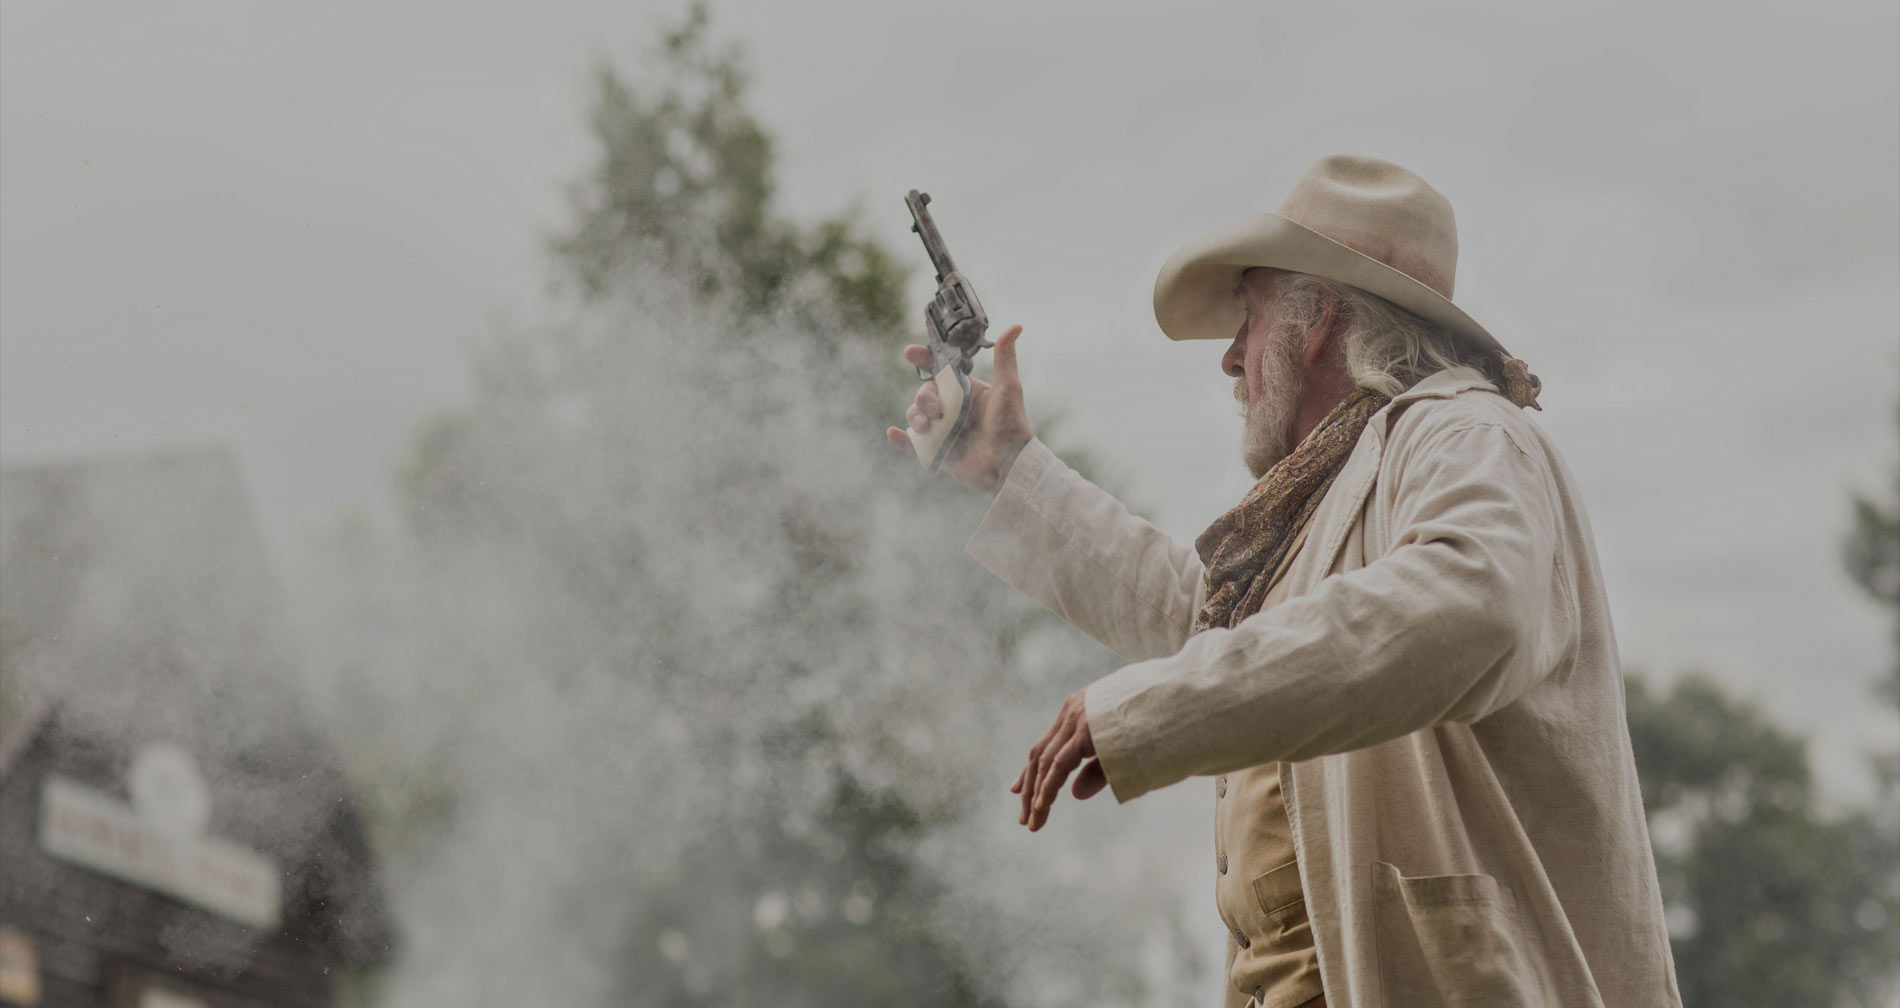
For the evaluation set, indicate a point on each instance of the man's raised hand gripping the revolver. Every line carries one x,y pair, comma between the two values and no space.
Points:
998,424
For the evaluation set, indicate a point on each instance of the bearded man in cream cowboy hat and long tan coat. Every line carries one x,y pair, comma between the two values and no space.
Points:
1394,656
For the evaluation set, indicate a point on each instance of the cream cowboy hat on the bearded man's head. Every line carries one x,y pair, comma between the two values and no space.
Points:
1356,221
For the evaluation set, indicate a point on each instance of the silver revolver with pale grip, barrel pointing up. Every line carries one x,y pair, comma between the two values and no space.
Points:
957,331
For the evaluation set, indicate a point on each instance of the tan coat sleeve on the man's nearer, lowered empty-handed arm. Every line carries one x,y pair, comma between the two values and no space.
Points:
1456,620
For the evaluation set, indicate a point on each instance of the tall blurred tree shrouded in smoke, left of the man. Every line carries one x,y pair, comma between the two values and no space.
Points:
685,491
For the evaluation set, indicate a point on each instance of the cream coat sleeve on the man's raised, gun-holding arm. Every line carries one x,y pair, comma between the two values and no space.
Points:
1071,546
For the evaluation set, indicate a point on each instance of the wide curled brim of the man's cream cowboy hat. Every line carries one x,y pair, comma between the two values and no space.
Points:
1194,291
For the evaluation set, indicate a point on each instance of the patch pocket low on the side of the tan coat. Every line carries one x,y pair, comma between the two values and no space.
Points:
1449,941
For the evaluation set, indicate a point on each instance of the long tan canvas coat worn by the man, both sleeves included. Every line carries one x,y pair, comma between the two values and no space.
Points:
1441,681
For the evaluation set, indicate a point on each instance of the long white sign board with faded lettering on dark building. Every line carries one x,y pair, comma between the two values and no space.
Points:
96,831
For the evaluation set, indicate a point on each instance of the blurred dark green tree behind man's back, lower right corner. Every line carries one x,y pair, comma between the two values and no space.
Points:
1772,901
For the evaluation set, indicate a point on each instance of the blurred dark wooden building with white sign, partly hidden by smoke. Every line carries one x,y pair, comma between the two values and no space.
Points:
172,832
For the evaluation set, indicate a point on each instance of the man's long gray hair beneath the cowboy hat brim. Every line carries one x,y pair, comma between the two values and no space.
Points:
1386,348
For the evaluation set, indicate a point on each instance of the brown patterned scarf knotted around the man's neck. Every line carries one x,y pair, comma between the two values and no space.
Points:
1245,548
